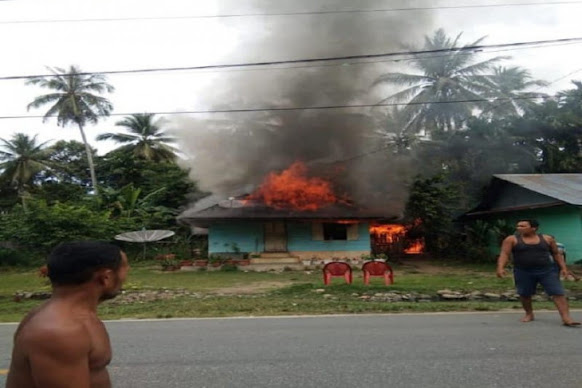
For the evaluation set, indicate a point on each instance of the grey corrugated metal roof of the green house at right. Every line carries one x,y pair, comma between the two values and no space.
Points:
564,187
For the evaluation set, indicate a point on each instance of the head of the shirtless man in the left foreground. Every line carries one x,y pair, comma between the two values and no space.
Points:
87,262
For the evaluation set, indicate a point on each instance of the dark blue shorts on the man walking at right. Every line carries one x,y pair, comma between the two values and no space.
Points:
527,279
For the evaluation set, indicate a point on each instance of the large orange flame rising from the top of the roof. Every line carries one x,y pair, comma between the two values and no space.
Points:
293,189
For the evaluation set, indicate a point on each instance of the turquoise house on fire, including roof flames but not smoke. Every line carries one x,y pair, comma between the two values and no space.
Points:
290,215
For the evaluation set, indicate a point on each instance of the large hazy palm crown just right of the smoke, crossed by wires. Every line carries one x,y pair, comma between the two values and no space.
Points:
442,79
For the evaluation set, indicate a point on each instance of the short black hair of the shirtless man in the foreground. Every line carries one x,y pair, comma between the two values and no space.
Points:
75,262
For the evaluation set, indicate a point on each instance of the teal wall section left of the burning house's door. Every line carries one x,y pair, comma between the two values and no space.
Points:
248,236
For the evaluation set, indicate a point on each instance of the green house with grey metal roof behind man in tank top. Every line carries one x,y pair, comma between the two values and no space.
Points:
555,200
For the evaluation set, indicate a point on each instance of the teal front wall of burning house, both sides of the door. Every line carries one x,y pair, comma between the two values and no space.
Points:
249,237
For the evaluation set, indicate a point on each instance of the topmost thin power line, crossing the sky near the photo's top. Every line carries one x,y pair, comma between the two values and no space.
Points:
305,13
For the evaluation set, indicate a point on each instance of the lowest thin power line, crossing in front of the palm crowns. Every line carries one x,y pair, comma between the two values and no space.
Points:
303,108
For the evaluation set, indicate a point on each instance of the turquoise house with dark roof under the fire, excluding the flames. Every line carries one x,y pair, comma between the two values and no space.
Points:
236,225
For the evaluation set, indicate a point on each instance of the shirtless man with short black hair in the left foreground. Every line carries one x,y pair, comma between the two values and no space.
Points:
62,343
